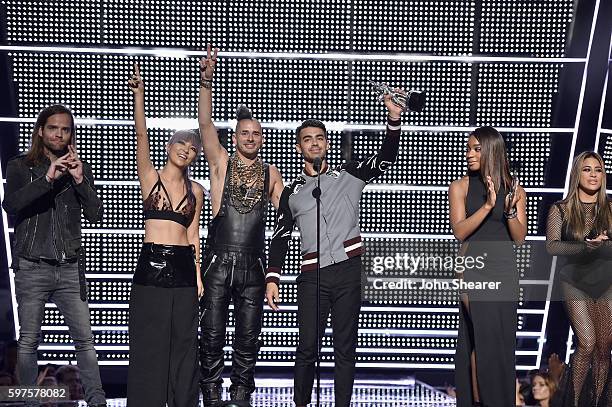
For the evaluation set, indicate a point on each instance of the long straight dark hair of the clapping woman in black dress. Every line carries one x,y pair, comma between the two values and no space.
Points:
493,157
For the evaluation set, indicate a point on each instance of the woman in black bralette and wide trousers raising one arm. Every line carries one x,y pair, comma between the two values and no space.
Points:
163,325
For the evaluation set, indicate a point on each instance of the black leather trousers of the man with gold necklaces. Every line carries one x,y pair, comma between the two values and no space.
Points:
236,276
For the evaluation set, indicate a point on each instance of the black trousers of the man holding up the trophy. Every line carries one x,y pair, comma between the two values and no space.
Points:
340,293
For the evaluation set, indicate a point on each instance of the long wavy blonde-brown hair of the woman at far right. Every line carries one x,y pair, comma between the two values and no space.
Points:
575,223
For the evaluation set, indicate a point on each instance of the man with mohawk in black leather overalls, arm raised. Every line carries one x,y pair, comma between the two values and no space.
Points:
241,185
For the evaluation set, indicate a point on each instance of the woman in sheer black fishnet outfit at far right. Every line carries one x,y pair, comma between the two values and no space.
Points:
578,229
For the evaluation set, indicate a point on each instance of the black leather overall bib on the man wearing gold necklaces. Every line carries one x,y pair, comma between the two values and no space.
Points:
232,230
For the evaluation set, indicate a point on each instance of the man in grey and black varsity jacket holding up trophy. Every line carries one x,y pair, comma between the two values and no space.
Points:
340,243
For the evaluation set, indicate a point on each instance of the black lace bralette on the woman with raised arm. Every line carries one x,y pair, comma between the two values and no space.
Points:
159,206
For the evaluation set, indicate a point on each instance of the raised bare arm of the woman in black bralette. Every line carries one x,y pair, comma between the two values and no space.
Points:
146,171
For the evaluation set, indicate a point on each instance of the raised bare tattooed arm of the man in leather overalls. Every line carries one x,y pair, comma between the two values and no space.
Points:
215,154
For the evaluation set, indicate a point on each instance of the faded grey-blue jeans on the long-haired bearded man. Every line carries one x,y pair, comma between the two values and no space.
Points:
35,284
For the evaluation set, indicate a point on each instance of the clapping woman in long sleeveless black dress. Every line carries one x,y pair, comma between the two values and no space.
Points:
487,214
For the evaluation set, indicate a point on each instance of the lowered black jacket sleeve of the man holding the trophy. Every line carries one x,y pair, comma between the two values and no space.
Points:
280,238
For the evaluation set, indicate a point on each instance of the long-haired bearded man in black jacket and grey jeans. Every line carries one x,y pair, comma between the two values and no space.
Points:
46,190
